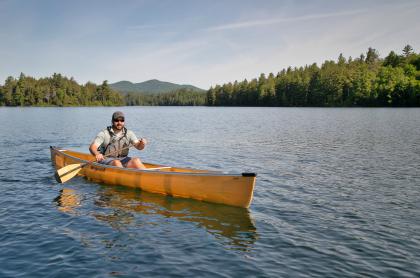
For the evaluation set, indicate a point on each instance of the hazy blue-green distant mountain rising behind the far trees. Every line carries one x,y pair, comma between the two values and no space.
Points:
153,86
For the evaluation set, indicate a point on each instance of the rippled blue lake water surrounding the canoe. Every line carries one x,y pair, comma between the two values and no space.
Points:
337,195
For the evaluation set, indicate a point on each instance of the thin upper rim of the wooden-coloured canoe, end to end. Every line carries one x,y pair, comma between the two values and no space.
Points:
60,151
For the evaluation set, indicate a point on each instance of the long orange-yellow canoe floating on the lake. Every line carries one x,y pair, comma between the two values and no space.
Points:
210,186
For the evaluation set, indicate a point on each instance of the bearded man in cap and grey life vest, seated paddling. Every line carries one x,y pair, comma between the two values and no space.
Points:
114,141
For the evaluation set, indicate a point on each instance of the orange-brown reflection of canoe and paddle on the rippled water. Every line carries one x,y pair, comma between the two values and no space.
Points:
230,225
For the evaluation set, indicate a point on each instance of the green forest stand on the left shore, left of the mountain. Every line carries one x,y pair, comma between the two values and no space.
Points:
56,91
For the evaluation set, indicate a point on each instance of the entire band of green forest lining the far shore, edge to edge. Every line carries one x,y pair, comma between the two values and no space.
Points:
367,80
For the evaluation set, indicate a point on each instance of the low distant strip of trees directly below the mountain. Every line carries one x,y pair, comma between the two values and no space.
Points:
182,97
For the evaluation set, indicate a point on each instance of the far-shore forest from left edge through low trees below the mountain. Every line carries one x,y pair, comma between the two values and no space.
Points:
59,90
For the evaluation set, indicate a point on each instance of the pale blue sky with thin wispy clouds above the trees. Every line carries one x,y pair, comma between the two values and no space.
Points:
202,43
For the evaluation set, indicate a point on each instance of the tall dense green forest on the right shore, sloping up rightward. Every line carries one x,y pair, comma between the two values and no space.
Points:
365,81
